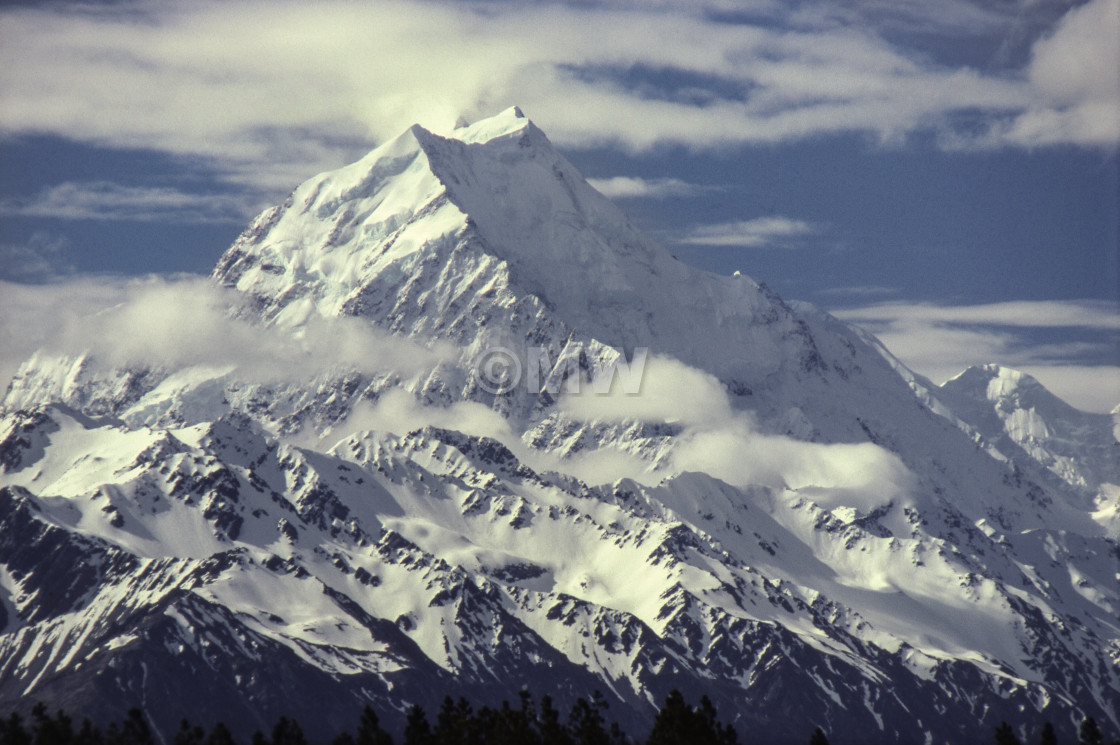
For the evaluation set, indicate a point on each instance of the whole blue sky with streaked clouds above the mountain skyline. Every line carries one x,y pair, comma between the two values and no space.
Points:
945,173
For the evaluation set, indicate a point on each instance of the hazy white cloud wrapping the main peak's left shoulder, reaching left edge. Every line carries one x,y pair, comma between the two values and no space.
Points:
183,322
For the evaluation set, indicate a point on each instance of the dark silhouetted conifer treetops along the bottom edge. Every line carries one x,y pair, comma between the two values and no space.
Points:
458,723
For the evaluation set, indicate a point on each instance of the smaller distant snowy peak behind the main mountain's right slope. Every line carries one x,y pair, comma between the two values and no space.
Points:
1021,417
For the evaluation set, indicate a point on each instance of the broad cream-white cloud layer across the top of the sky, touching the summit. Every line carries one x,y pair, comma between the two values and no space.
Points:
313,83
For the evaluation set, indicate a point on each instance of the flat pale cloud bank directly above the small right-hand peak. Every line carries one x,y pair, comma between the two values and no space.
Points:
941,341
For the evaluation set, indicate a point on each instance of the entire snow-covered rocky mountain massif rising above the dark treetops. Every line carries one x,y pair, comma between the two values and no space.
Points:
785,519
